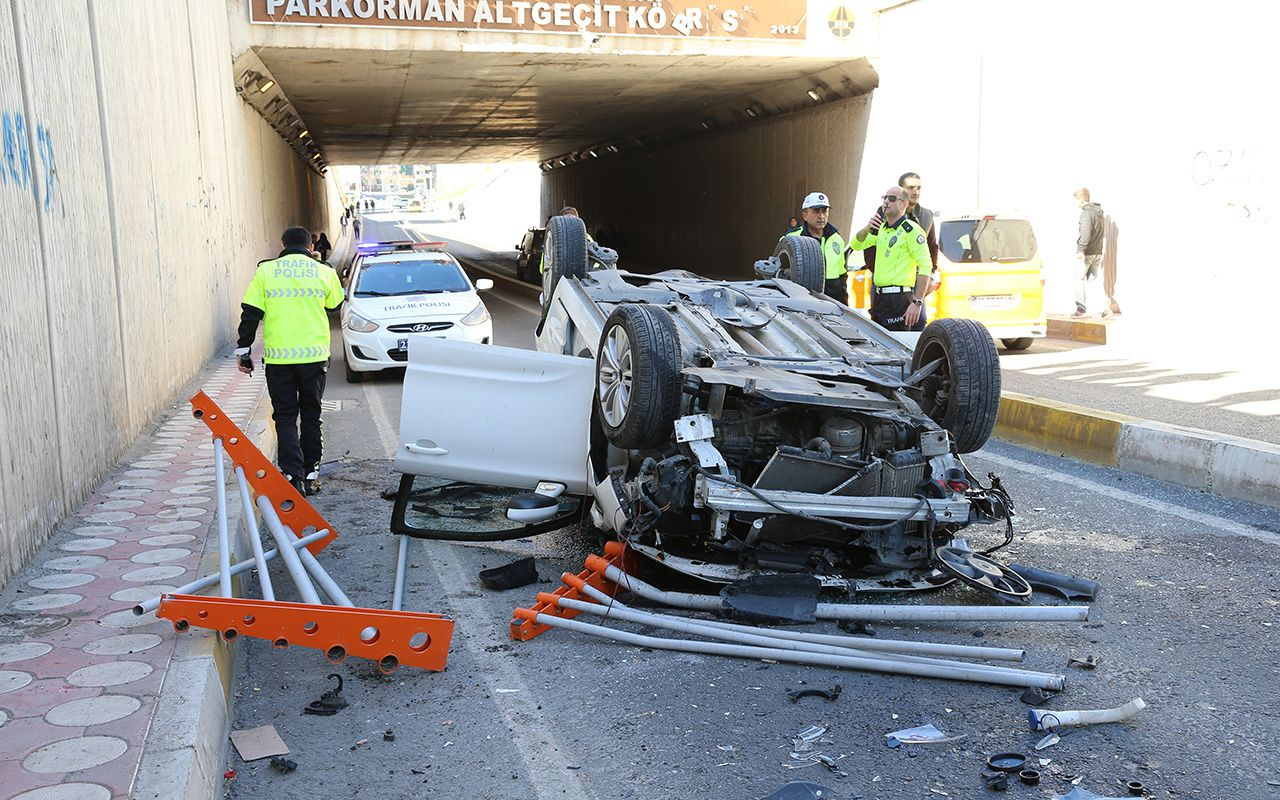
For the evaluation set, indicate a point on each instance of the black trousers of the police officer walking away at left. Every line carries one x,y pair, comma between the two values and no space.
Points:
296,391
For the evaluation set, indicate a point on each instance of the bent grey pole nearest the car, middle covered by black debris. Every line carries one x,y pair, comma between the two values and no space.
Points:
860,614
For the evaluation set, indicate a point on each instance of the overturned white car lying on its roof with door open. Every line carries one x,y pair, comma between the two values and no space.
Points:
723,428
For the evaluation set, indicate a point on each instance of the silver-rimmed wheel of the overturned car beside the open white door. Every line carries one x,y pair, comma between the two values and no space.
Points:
638,377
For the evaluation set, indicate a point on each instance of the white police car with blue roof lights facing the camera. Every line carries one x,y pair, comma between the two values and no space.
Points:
401,291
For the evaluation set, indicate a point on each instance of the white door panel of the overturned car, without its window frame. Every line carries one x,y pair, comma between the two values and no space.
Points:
497,417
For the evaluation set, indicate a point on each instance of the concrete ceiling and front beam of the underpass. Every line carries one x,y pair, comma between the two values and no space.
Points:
392,92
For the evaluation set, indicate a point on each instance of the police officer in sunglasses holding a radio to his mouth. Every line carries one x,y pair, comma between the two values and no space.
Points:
903,264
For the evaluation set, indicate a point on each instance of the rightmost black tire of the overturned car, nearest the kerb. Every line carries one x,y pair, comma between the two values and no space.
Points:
963,396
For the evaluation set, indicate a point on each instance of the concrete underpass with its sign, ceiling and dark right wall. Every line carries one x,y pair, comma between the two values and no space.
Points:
687,149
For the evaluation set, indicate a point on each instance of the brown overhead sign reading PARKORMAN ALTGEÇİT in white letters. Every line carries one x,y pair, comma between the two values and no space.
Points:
738,20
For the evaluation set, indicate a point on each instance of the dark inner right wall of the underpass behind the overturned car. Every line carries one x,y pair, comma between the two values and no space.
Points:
717,203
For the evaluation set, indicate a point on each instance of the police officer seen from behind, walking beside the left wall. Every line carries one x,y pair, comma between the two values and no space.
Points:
290,296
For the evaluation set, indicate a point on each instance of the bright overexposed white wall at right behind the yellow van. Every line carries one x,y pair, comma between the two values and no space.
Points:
1004,104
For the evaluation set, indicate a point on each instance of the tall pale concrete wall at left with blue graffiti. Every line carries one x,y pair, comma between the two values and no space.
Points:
138,193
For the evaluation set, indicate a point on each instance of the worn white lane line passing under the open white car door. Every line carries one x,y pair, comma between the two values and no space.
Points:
532,740
